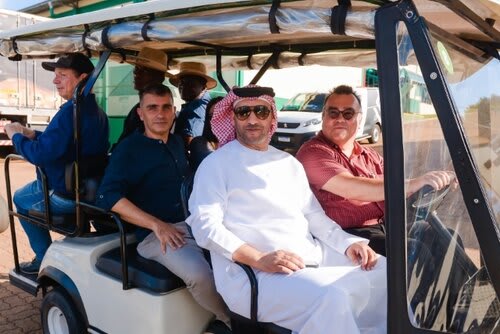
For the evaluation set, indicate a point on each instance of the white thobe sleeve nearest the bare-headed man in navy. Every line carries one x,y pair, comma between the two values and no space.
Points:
207,205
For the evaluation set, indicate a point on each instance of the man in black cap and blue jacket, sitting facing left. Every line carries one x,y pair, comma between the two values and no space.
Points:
54,148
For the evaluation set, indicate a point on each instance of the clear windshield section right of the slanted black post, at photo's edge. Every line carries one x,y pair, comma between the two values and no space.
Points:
479,111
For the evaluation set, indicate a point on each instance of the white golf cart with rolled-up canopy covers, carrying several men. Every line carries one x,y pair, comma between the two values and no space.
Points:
97,283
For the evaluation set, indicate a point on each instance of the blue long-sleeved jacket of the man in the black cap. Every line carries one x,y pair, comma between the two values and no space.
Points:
54,148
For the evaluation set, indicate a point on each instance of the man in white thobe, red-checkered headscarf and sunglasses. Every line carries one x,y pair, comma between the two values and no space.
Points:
252,203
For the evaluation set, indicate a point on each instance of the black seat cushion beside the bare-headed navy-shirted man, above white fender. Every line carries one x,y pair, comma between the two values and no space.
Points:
142,273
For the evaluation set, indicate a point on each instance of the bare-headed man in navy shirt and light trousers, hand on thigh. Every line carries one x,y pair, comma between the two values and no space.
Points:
142,184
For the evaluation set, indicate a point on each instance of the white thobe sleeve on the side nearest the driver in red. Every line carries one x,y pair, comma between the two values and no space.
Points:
321,226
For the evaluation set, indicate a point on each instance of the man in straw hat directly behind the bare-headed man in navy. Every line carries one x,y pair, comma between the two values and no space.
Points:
150,69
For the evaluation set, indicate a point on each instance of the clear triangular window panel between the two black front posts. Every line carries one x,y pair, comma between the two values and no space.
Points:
448,290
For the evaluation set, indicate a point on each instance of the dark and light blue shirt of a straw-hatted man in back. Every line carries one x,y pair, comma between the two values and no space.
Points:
191,118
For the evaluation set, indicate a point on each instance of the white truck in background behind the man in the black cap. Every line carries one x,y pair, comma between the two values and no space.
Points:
27,94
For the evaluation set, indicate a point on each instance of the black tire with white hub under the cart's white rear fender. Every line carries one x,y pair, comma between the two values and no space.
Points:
59,314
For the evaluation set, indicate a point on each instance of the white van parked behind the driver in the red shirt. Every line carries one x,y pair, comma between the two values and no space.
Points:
300,119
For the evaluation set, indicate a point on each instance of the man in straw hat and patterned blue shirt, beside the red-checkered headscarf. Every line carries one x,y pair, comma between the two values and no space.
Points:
193,83
